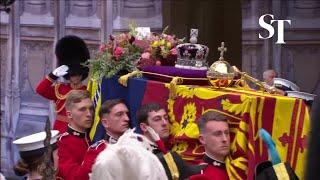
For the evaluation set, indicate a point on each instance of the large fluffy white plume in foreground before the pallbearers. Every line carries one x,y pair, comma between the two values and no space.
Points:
129,158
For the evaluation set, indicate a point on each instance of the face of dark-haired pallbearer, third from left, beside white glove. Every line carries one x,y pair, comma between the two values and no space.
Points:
158,120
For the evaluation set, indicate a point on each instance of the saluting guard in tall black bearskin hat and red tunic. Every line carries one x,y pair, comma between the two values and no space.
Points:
70,52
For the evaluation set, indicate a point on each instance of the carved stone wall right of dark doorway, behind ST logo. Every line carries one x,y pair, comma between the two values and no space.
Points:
297,60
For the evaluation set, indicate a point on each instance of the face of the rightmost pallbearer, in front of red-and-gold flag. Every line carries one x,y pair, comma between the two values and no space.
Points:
216,139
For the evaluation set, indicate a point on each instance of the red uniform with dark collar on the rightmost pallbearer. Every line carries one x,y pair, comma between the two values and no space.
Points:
214,170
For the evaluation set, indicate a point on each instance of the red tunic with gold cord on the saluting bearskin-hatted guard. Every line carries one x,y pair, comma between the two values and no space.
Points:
58,93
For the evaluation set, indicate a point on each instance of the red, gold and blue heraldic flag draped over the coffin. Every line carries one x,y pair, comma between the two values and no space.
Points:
286,119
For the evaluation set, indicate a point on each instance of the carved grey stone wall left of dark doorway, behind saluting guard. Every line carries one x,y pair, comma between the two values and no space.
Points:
28,35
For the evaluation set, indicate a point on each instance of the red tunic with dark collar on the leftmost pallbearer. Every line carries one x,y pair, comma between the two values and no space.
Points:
73,146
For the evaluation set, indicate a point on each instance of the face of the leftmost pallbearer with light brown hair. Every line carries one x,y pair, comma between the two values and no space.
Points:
81,114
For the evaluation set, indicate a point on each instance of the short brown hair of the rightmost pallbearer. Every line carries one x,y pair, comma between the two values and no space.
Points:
210,116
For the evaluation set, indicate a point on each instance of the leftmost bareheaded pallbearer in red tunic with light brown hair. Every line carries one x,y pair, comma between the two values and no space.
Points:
73,144
